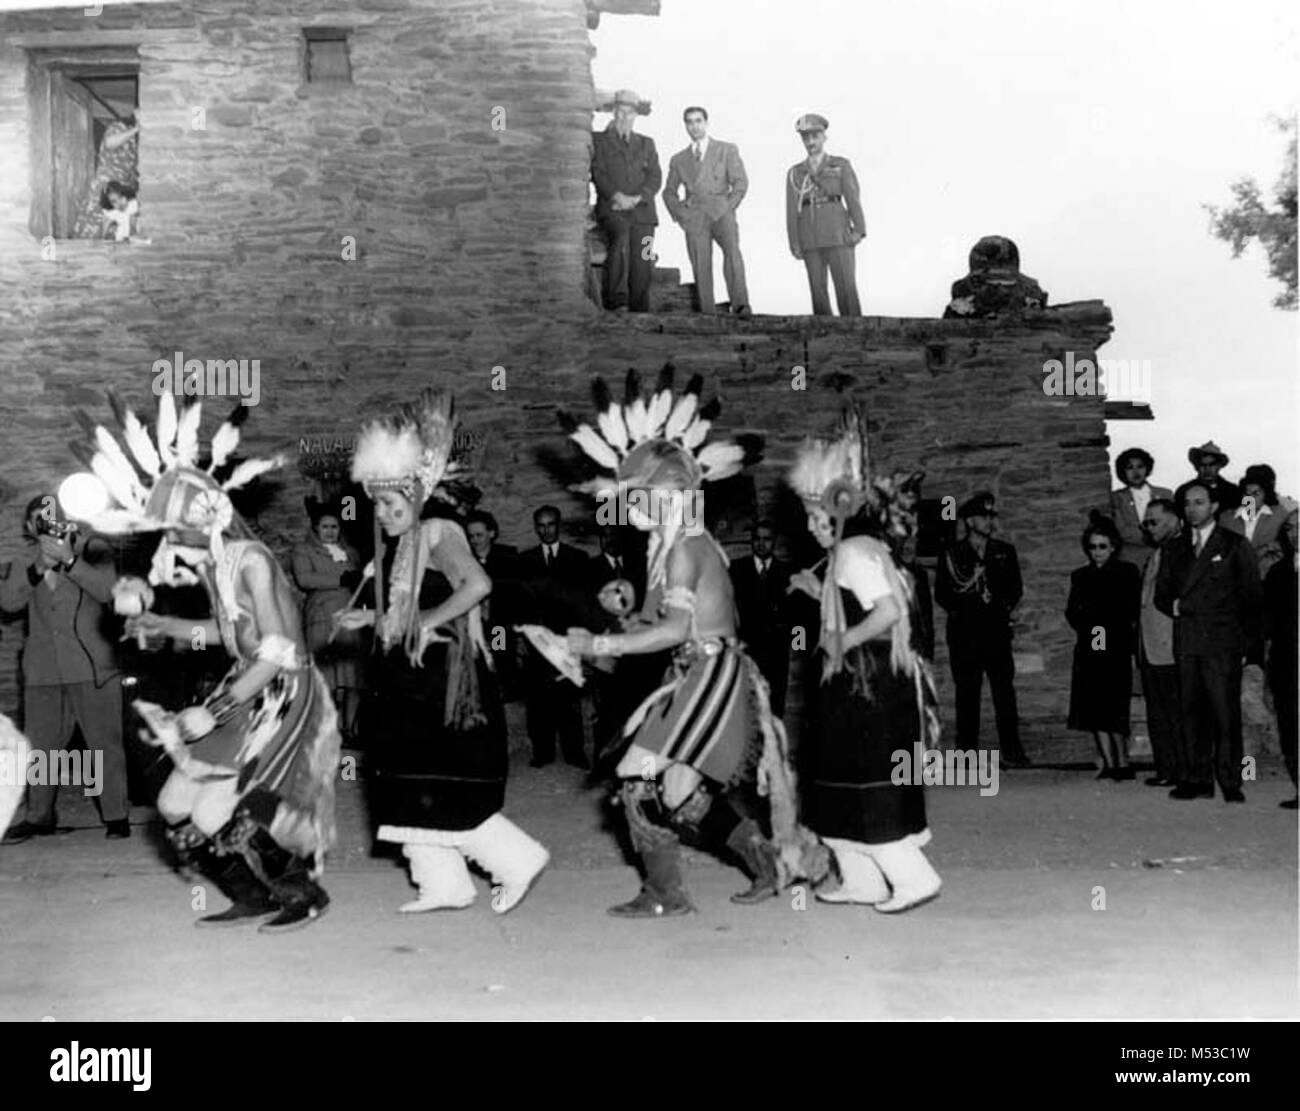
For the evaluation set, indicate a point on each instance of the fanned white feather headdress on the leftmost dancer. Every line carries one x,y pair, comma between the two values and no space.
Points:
163,487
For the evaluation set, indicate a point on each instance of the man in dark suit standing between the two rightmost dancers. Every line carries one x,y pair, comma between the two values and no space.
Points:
760,583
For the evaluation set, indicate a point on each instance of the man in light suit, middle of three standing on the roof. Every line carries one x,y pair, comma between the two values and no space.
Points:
714,179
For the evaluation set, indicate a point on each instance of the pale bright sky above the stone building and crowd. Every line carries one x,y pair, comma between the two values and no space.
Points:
1090,133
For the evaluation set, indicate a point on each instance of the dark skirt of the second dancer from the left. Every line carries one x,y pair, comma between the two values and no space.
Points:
423,773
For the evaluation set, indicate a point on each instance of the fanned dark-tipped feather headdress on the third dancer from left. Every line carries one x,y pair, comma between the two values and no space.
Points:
657,441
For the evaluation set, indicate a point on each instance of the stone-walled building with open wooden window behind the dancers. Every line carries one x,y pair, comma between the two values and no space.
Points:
369,197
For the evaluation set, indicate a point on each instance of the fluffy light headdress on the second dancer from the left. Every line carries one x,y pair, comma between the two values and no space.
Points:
410,450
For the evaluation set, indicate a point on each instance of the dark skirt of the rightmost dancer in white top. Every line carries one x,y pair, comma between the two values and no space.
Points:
857,722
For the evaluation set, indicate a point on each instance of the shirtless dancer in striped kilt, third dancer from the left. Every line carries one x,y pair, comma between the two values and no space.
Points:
705,745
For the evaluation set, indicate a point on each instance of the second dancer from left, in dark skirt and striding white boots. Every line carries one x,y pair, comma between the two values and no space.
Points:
437,743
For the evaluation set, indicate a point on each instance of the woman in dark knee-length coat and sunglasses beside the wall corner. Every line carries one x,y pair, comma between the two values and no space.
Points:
1106,597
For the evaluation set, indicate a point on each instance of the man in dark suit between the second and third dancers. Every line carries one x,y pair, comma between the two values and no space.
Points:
556,579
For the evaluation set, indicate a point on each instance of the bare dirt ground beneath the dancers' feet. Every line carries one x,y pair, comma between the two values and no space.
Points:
1063,899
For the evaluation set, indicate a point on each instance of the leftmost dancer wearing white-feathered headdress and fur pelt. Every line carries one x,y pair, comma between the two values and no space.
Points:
252,801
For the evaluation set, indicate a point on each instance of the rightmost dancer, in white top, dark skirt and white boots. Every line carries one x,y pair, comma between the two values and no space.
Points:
874,696
